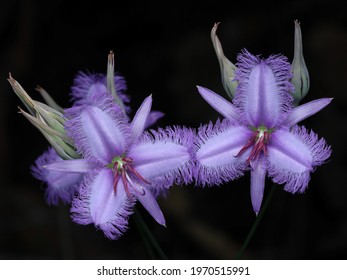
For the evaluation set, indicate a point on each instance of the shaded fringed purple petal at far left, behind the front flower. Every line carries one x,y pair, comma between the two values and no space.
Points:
60,185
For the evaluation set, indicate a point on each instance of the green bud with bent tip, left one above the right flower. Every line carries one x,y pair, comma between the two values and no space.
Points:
226,67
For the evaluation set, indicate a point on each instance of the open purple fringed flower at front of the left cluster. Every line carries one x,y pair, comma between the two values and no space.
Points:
121,163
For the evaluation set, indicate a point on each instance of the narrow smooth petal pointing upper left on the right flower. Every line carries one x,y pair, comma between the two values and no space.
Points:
221,105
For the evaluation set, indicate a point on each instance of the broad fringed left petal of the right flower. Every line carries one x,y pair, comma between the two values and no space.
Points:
218,147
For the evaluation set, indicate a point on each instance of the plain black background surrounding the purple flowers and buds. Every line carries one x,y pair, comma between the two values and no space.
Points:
166,50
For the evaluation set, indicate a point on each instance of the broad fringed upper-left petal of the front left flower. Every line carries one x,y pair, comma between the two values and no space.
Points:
99,131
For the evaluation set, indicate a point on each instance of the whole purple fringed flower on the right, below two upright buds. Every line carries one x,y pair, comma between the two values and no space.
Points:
260,131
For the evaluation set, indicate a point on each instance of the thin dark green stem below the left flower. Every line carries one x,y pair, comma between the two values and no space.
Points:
148,238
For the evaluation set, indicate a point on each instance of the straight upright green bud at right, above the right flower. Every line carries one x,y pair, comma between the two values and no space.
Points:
301,79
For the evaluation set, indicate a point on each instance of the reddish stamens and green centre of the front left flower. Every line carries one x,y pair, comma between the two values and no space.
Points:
123,169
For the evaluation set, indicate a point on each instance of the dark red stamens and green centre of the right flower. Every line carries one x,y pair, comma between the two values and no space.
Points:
258,141
